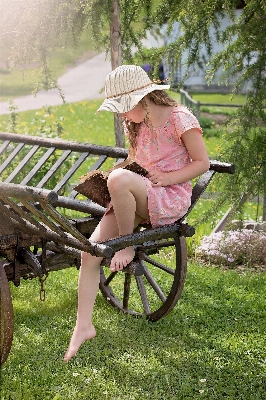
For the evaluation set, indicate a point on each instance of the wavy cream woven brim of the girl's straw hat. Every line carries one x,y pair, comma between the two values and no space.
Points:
126,102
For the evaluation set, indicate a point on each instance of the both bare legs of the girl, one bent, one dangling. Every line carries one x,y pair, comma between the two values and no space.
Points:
129,198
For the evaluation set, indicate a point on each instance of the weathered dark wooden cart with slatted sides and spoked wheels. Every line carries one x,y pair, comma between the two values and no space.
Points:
45,225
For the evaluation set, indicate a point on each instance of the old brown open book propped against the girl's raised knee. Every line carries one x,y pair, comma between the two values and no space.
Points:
94,184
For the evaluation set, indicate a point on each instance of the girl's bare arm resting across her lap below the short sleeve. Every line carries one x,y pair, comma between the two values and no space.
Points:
200,162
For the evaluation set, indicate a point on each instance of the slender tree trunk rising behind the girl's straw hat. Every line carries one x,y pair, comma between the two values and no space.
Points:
116,60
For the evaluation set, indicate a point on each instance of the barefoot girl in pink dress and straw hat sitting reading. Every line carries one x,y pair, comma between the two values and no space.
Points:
166,139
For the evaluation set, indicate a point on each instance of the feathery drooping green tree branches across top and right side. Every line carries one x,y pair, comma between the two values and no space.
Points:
48,23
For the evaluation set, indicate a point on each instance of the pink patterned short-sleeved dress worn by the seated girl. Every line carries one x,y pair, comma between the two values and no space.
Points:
164,150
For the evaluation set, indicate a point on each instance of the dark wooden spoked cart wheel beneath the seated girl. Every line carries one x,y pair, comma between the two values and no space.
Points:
154,293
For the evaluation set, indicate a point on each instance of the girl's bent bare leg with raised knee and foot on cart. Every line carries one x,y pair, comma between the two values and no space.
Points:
130,202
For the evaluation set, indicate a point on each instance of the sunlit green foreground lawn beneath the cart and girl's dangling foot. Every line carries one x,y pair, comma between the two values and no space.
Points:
211,346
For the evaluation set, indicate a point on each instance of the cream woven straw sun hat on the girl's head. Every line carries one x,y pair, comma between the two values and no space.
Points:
125,86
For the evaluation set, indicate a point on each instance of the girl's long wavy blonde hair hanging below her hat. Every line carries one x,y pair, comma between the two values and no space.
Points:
158,97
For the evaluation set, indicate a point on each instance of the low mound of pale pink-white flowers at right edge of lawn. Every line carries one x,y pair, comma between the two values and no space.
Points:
232,248
